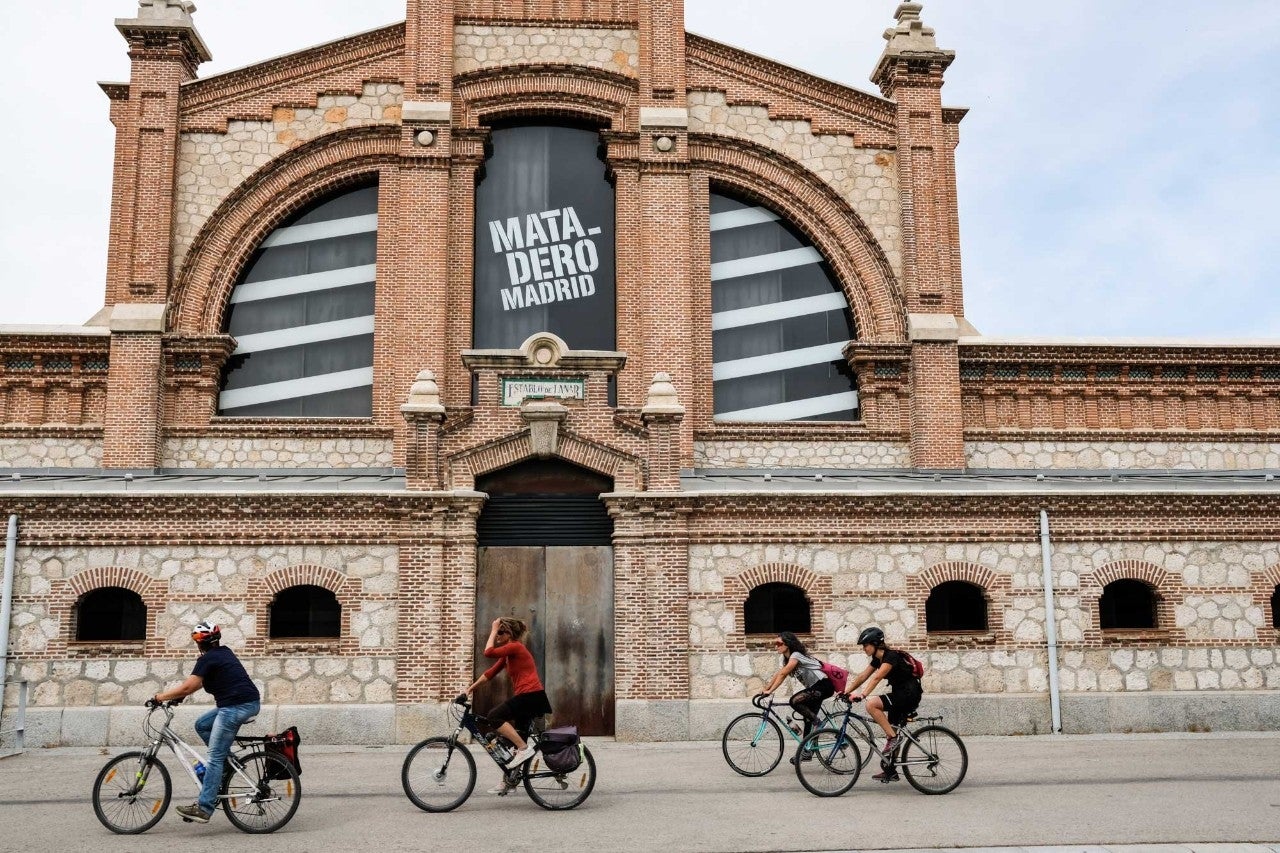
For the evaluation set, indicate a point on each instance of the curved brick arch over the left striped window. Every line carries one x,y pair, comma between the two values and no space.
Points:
262,203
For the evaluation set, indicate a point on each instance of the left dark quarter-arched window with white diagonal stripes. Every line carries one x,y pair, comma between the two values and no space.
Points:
303,316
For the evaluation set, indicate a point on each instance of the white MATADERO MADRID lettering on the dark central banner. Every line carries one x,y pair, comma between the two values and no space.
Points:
550,258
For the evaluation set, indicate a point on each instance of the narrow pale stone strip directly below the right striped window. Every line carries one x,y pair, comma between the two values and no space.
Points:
796,454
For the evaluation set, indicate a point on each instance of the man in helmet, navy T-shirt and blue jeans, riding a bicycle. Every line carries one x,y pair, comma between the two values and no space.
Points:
222,676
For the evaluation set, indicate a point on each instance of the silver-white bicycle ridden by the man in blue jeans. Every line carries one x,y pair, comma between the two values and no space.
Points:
260,791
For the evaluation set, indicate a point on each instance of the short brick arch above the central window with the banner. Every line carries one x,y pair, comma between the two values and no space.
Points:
593,94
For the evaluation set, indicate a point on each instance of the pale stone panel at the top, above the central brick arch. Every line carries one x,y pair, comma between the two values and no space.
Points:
614,51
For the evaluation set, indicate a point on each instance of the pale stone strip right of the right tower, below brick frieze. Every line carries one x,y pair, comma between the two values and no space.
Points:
1194,457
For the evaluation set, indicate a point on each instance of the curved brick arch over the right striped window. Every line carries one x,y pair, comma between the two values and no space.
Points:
838,231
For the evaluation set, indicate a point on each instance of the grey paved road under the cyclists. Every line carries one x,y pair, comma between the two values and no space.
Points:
1078,792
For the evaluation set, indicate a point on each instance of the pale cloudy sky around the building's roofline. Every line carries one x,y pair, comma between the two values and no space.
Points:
1119,167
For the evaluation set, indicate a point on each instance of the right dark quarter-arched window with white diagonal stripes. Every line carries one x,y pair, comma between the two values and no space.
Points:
780,321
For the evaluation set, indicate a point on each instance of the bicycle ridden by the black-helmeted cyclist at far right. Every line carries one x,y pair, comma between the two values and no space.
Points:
932,758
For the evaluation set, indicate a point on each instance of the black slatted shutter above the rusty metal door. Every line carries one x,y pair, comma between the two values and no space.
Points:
545,521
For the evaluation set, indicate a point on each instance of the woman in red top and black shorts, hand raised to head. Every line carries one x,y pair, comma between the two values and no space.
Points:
531,699
